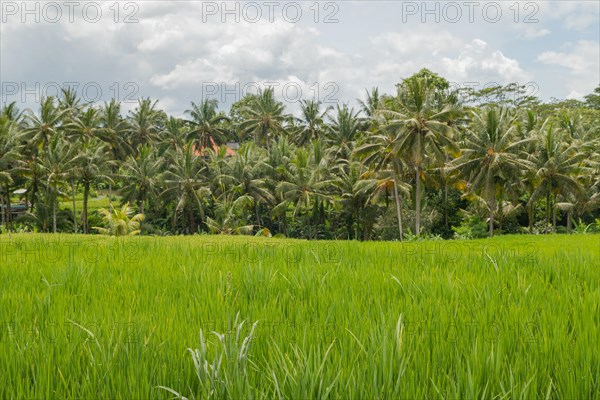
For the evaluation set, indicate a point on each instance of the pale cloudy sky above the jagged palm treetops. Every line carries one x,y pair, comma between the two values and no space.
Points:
179,51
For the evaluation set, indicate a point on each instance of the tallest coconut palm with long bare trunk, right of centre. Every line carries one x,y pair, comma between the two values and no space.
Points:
425,128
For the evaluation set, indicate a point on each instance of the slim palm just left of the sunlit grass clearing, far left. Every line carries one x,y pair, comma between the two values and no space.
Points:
56,164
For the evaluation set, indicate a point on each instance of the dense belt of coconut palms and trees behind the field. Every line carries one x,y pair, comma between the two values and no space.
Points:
426,161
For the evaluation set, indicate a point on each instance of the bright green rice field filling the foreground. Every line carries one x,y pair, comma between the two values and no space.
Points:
99,317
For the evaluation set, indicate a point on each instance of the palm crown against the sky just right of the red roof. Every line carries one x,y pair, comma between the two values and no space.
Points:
264,117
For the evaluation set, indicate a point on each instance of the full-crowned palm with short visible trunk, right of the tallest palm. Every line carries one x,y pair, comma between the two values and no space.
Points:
491,156
